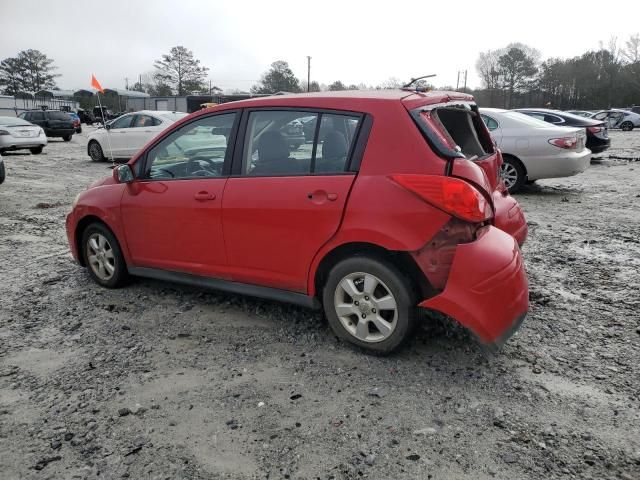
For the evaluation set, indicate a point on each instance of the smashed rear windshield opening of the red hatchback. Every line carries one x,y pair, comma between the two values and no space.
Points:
455,129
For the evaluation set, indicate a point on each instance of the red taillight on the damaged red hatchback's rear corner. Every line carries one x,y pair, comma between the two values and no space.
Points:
452,195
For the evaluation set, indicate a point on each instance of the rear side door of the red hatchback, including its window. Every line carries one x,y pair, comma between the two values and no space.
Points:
286,202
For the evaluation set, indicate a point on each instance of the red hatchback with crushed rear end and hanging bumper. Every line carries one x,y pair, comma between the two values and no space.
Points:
393,204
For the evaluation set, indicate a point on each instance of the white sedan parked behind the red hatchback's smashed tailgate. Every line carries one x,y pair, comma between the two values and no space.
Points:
533,149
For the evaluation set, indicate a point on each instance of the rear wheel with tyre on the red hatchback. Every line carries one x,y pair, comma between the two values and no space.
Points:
370,303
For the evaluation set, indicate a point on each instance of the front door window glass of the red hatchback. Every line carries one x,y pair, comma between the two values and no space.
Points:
197,150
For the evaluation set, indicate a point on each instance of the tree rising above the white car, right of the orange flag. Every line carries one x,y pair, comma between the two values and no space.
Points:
181,71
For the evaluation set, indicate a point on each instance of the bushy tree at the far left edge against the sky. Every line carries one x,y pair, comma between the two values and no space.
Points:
31,70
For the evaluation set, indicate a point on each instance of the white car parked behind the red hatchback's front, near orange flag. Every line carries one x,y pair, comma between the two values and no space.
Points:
124,136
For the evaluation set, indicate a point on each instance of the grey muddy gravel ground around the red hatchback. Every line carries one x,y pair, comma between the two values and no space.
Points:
163,381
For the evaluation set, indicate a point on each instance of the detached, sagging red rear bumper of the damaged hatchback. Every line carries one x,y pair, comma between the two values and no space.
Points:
487,290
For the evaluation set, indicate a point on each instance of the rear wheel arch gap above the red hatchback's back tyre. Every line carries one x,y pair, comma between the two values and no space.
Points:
402,260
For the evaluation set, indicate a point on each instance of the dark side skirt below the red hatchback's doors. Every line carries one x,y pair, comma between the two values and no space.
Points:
268,293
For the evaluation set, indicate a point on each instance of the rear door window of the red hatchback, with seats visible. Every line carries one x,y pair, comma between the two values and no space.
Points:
290,143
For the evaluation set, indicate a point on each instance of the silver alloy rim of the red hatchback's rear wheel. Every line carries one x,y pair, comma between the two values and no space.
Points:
366,307
